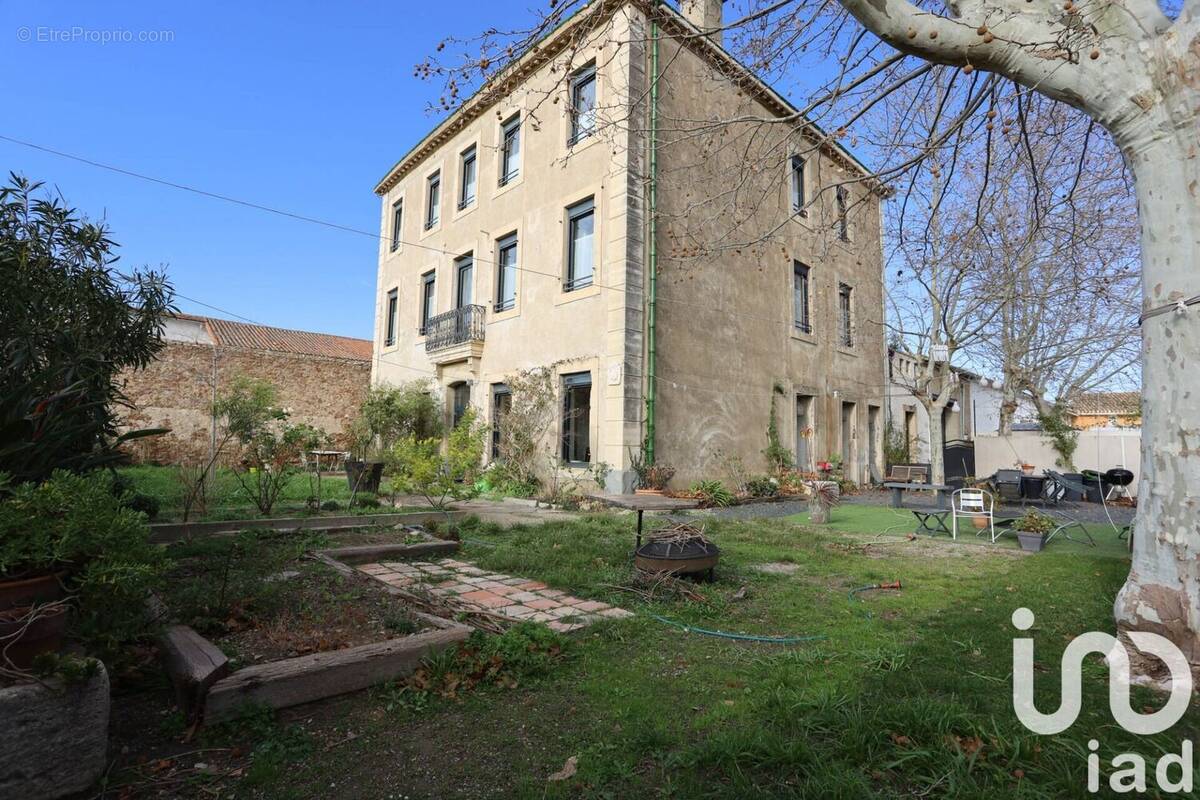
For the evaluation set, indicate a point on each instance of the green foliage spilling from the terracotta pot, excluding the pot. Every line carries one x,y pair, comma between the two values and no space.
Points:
75,525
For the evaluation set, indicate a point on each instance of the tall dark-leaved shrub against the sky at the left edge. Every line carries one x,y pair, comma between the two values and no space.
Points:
71,324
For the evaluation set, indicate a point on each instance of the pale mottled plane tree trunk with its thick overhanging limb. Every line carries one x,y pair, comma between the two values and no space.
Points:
1141,81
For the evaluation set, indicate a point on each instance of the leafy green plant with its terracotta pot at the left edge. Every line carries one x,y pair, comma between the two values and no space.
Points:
71,543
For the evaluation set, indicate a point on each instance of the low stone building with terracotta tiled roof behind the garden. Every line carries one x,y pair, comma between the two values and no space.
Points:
322,380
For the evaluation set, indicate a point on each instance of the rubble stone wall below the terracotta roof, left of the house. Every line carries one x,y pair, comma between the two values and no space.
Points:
178,389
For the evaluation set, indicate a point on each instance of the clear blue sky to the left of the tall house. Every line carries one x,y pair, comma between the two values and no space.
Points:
299,106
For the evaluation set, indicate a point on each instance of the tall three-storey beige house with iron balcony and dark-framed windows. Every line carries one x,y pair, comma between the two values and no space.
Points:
517,237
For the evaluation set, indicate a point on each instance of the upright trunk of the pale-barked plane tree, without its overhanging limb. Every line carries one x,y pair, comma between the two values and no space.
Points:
1163,592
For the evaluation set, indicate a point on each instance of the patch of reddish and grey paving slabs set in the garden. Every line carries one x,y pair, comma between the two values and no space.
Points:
501,594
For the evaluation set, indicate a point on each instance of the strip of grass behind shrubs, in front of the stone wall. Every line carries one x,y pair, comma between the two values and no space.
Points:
231,501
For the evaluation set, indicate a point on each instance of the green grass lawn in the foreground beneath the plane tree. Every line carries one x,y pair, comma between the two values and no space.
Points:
909,695
